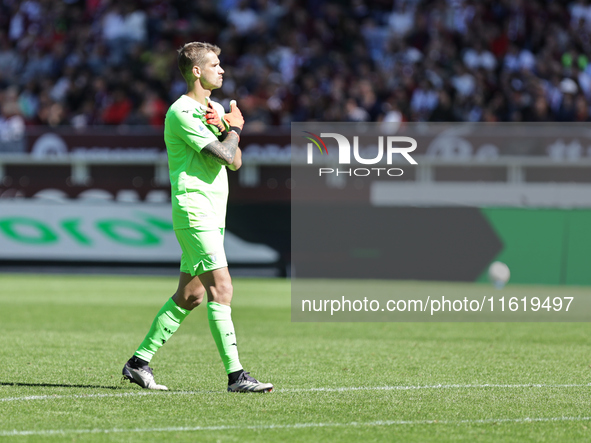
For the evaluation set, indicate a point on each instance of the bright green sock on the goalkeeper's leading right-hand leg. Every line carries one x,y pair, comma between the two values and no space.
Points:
222,329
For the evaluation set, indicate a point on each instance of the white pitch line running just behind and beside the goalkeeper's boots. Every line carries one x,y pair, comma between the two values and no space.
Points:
341,389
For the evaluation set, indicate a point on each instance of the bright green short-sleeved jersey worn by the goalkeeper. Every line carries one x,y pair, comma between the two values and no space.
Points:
199,184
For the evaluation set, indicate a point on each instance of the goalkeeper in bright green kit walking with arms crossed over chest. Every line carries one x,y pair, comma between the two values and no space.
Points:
202,141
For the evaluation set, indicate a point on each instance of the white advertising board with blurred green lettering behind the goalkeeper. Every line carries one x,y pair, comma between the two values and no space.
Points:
102,231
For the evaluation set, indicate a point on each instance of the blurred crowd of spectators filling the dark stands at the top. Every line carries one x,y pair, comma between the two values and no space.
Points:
88,62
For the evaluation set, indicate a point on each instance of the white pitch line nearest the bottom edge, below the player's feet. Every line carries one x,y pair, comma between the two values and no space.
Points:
293,426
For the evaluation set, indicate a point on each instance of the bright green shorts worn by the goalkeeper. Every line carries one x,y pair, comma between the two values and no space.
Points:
202,250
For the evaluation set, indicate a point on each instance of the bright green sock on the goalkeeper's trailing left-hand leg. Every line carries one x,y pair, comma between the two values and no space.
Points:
165,324
